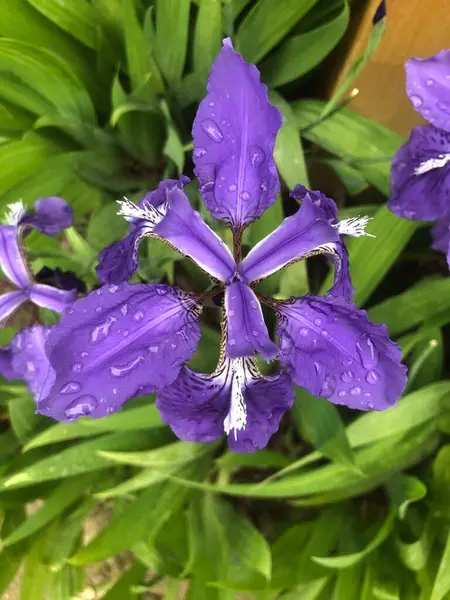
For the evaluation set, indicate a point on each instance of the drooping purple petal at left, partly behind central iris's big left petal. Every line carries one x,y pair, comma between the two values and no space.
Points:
30,361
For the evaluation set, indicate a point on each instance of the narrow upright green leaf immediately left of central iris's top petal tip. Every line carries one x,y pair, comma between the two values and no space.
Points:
208,34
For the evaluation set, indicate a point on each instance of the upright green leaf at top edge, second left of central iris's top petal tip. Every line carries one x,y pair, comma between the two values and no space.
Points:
171,37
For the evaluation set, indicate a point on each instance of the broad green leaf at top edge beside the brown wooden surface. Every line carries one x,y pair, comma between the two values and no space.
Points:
301,53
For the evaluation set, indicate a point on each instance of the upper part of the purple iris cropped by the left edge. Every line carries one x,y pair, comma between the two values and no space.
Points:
50,216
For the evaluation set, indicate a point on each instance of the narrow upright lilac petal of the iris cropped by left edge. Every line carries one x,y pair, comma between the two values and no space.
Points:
12,261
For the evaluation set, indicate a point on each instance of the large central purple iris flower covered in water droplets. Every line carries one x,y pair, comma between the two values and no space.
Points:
125,340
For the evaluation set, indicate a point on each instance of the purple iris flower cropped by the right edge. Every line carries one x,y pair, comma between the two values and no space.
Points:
420,175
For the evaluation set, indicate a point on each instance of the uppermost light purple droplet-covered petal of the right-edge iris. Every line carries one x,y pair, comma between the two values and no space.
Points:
428,87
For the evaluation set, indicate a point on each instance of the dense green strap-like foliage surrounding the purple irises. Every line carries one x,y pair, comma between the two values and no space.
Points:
96,101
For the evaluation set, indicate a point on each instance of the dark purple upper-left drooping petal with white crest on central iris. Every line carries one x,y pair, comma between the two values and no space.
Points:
119,261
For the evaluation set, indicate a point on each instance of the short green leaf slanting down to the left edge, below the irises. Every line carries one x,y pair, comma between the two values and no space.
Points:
61,498
